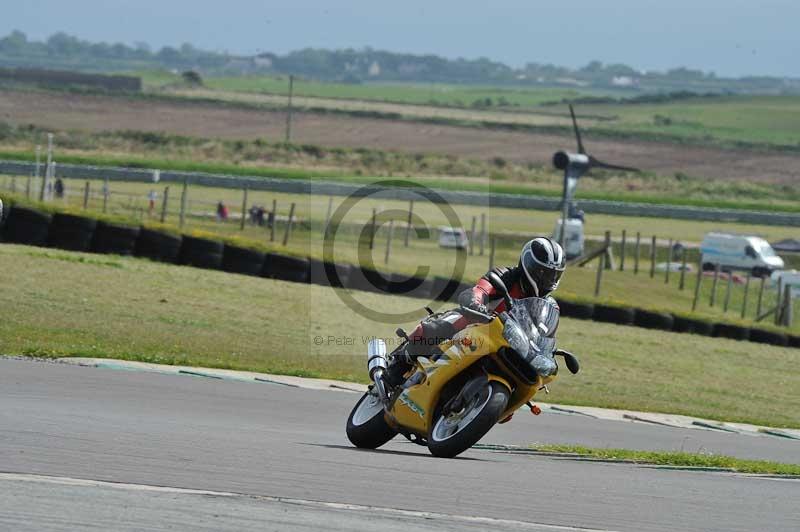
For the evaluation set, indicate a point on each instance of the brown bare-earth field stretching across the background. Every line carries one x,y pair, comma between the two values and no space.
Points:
99,113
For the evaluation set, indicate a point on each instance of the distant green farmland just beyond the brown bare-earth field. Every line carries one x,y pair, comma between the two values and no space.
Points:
768,121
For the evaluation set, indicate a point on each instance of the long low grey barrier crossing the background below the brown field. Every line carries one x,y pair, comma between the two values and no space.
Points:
514,201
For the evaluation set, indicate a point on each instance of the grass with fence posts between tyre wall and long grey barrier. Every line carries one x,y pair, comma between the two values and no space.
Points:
619,288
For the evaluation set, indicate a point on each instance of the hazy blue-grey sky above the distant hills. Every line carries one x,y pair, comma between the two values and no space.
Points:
729,37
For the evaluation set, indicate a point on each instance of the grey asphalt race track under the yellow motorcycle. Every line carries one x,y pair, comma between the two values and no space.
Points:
85,448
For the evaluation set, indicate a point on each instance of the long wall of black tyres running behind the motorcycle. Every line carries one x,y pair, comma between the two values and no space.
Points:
77,233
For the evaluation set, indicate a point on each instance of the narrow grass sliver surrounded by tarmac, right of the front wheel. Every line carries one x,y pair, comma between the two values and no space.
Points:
675,459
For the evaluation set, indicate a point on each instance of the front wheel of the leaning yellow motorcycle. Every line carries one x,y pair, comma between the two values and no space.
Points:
453,433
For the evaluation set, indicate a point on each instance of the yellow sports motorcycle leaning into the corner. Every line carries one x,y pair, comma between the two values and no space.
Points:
484,374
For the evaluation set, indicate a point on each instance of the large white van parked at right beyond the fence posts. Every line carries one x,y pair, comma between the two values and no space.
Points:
739,252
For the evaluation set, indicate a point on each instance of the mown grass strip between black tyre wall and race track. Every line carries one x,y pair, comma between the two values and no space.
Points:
59,303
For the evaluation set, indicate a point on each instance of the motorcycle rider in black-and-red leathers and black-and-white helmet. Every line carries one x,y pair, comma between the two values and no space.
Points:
541,264
